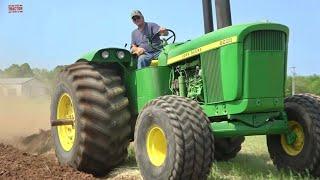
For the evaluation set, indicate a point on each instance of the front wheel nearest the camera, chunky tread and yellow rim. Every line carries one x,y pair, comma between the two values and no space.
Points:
173,140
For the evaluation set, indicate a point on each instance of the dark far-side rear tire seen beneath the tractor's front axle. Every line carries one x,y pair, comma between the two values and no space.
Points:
227,148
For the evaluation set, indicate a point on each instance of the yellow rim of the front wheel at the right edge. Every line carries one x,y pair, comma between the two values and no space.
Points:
295,148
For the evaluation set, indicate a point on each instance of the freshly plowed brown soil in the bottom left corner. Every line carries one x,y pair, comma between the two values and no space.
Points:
16,164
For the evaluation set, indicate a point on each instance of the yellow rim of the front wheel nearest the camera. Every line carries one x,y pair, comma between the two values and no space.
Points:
156,145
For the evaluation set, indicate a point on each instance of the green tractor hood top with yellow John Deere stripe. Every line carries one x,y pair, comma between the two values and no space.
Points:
216,39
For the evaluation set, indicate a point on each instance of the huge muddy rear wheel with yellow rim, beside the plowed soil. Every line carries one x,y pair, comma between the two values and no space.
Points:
93,97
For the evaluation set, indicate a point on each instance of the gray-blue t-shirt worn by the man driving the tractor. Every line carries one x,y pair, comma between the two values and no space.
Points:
140,38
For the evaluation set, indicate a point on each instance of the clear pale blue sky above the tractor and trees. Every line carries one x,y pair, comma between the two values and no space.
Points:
51,33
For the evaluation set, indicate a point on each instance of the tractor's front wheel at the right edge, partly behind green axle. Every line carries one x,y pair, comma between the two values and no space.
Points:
303,154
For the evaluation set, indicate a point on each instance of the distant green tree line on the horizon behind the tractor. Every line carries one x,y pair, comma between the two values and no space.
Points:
303,84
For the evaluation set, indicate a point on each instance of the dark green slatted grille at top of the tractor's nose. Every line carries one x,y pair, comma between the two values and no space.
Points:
265,40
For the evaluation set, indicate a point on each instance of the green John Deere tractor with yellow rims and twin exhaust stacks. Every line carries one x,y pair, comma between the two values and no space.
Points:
193,106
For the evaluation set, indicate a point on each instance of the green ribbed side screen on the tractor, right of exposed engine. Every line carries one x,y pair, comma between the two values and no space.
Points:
210,62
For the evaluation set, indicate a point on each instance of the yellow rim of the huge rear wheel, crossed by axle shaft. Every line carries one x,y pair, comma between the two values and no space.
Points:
65,111
